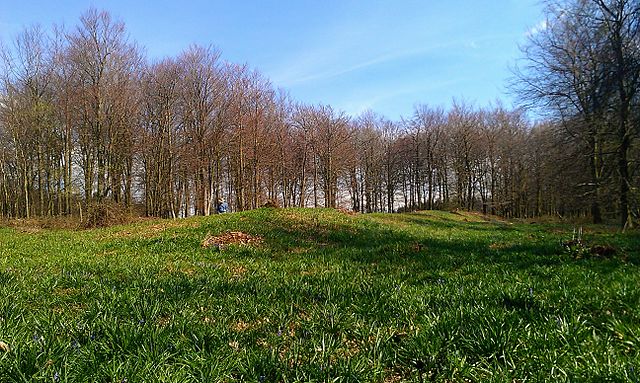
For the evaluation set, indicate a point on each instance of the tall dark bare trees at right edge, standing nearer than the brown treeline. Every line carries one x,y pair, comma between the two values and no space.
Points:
583,68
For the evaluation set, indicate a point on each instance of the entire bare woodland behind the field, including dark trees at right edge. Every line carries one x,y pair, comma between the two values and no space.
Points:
86,119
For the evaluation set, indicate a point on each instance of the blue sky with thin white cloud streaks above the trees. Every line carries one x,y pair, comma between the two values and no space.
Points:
355,55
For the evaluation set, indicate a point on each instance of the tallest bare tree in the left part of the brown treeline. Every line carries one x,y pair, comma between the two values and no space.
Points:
104,65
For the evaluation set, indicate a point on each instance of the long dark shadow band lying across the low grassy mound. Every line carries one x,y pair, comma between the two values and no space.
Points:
364,240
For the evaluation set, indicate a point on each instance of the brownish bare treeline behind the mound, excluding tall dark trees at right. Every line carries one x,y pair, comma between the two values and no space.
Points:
85,119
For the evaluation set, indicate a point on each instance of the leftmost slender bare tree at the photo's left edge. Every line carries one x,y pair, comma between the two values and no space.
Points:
28,117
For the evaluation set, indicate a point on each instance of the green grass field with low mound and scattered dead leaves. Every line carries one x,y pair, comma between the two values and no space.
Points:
320,296
